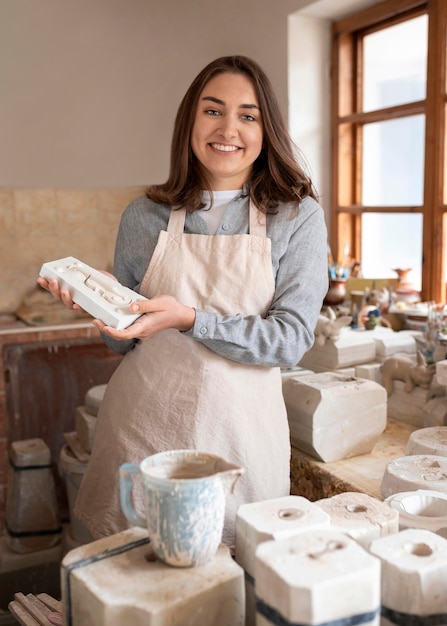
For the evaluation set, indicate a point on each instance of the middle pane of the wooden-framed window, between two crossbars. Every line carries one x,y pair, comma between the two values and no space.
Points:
393,162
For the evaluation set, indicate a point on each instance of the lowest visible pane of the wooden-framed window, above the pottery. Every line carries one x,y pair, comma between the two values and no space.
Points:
391,241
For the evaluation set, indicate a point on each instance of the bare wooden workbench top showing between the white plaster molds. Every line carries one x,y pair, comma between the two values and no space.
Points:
315,479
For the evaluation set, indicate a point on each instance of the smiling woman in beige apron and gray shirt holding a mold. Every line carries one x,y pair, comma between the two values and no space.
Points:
231,252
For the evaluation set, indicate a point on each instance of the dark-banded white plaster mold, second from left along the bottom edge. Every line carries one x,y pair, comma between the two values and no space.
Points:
317,577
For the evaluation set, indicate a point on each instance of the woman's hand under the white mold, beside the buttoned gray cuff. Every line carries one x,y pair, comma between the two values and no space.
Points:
159,313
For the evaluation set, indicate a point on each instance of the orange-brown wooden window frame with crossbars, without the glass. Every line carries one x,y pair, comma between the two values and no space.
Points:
347,120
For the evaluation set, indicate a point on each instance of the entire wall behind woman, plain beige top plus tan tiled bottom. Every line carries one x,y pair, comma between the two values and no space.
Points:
89,91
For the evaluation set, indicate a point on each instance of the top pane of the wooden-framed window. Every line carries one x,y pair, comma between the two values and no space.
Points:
395,64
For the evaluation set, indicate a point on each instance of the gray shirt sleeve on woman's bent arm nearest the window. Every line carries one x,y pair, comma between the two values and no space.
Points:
301,282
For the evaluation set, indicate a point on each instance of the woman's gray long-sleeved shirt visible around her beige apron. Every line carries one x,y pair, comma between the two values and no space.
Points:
299,259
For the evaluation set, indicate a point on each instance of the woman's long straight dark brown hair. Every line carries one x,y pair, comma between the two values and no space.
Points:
276,176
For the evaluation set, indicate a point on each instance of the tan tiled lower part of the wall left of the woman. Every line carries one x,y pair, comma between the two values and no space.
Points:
38,225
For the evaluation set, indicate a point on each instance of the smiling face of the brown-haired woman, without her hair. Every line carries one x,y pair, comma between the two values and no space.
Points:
227,132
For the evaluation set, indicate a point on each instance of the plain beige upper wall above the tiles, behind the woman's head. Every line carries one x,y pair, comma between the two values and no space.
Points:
90,87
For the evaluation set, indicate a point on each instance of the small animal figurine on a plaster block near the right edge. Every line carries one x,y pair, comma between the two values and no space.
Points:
403,368
